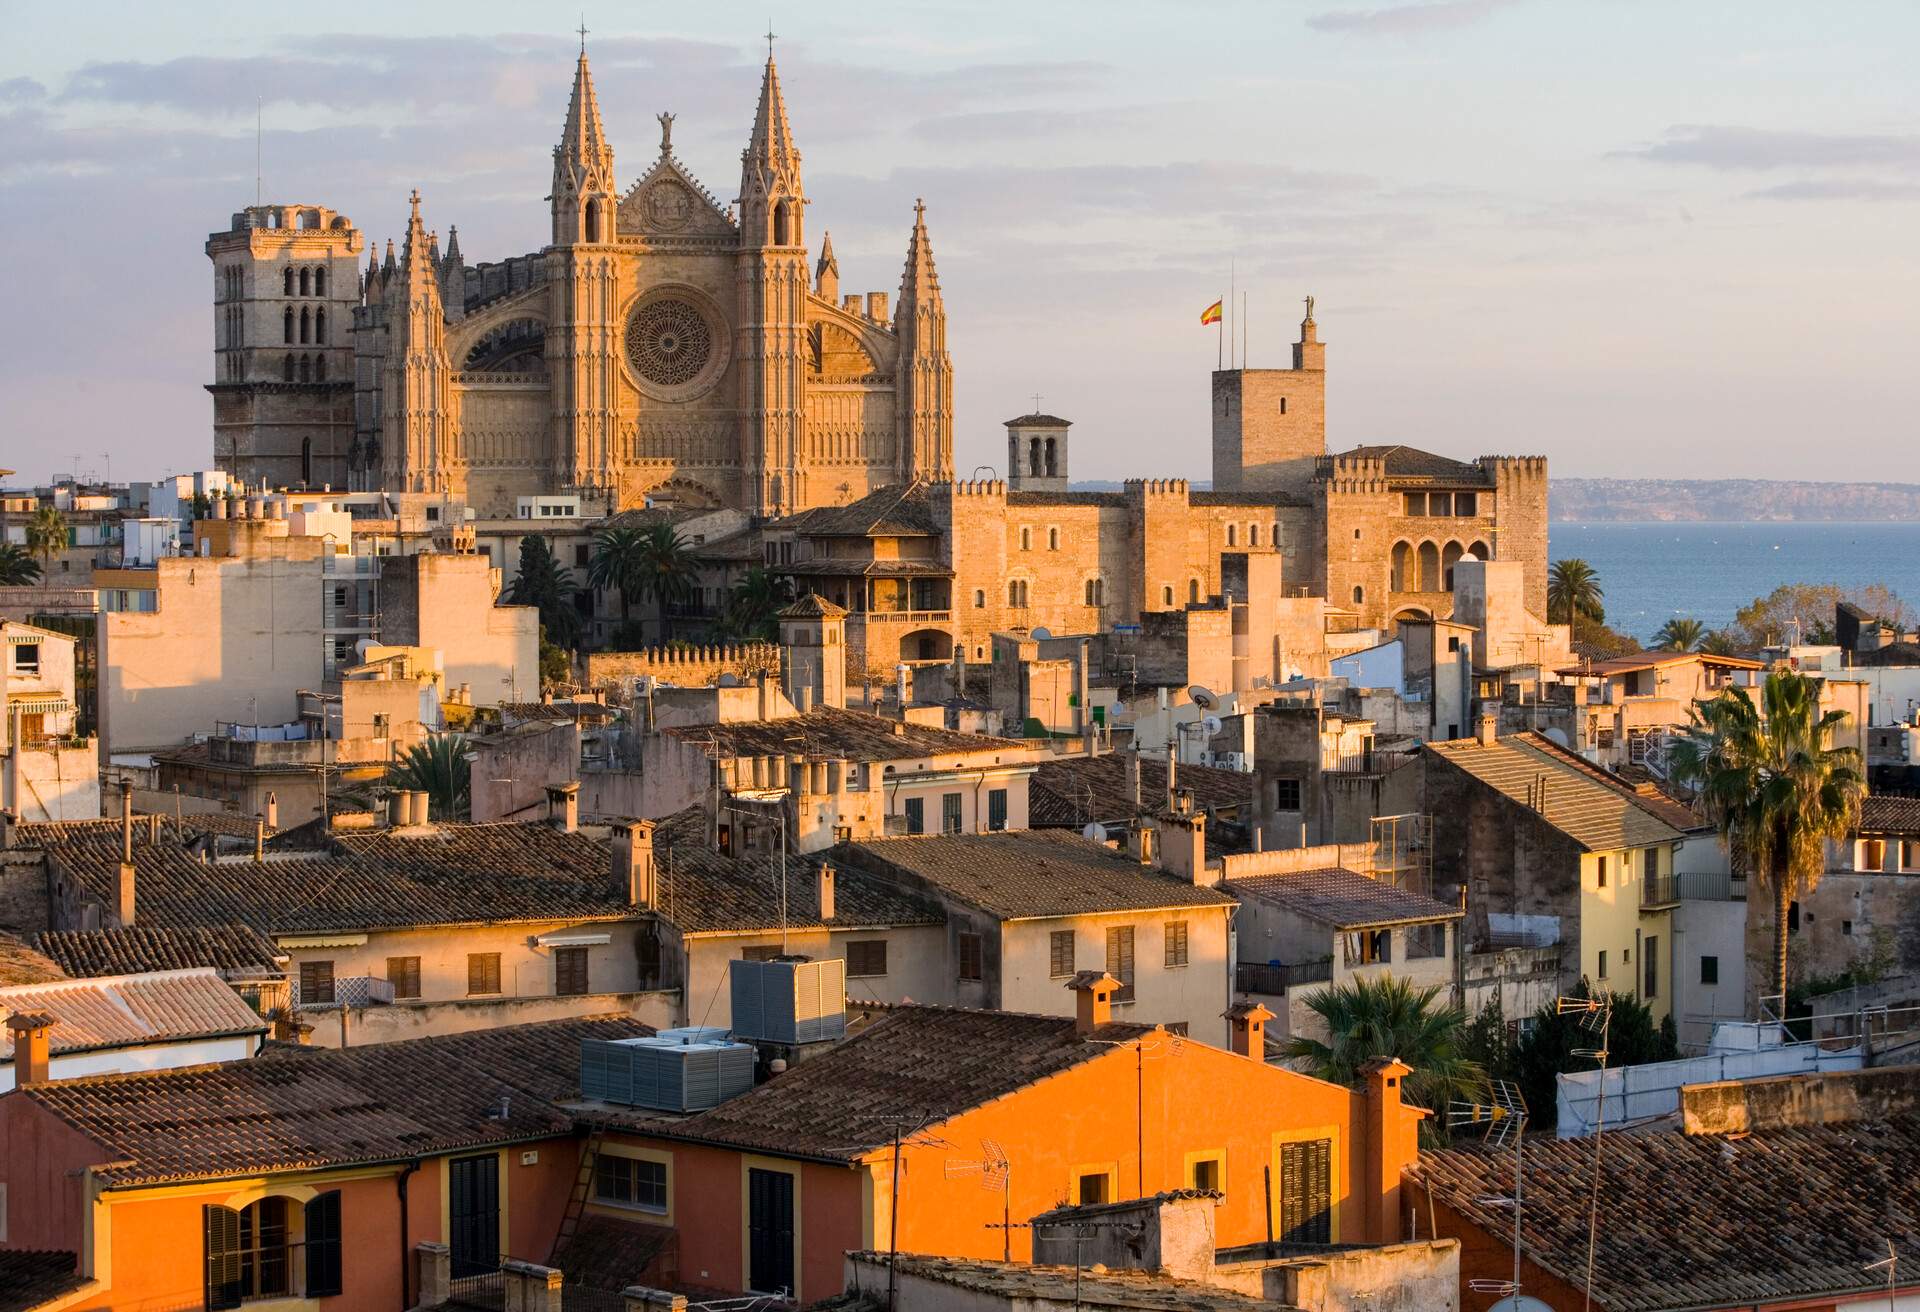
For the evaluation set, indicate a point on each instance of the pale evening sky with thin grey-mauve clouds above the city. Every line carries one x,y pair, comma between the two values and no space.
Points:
1639,237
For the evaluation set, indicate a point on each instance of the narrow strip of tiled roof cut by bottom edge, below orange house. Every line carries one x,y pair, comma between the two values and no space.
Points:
1024,1284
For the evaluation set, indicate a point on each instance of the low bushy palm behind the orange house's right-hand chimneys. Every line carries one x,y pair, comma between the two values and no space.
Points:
1387,1017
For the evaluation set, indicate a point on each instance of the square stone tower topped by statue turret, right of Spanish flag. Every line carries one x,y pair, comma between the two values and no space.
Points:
1270,425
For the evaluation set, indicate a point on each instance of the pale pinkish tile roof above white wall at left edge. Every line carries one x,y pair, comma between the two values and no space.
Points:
132,1011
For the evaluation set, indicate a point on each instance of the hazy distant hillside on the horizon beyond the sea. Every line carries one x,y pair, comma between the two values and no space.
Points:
1729,500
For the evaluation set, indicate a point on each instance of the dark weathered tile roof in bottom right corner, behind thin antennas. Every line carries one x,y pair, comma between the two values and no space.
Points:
1704,1221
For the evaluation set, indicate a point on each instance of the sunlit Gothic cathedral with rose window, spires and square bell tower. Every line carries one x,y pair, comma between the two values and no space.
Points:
661,347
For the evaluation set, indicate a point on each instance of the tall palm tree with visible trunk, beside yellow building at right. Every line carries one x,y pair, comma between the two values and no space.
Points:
1773,783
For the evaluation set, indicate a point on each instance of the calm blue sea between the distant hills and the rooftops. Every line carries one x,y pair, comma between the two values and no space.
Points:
1652,573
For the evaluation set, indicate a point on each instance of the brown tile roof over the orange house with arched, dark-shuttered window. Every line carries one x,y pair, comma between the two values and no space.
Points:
306,1109
